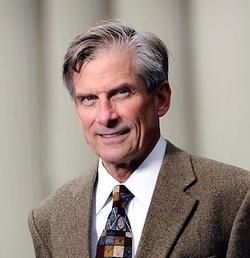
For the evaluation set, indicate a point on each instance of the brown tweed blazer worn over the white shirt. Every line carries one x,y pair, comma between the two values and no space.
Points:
200,208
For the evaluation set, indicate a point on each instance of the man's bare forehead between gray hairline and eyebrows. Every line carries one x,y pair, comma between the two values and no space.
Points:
108,67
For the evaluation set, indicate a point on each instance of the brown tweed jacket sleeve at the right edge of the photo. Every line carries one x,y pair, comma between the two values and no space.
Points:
239,243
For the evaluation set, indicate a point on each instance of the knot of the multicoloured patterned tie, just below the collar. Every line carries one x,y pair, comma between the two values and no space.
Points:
121,196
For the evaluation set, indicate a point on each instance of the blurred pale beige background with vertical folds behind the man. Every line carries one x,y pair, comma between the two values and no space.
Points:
41,143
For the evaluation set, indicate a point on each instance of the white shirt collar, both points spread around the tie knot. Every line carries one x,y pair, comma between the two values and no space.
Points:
147,173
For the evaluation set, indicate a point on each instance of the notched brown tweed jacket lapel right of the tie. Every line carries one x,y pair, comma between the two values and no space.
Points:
170,208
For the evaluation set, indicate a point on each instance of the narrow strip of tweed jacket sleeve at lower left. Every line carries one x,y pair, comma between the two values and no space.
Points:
39,246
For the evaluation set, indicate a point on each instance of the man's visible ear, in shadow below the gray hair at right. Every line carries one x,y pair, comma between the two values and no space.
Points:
162,98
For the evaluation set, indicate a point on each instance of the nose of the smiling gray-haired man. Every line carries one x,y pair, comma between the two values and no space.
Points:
106,113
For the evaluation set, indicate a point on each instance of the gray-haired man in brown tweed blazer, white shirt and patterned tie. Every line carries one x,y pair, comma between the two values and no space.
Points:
177,205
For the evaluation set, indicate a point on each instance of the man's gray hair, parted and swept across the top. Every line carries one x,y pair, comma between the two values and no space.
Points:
152,54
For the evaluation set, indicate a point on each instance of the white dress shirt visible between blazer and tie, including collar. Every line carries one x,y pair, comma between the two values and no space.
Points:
141,183
